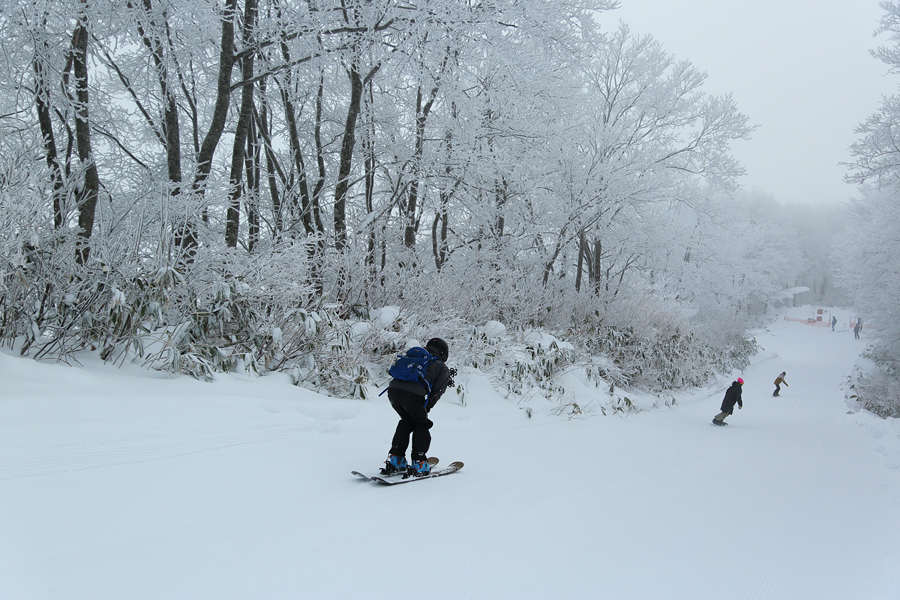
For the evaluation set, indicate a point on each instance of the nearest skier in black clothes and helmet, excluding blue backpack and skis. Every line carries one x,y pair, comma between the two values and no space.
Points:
413,402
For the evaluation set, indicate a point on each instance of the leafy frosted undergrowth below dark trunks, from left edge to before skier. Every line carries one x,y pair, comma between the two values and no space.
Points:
224,311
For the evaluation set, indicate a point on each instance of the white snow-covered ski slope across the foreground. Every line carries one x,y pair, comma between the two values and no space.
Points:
122,483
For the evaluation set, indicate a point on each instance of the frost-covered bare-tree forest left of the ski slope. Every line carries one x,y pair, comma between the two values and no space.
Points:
231,182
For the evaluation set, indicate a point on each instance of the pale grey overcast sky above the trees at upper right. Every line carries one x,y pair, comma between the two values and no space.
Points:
800,69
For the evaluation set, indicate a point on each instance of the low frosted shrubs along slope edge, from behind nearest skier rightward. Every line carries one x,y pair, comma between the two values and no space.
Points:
649,343
